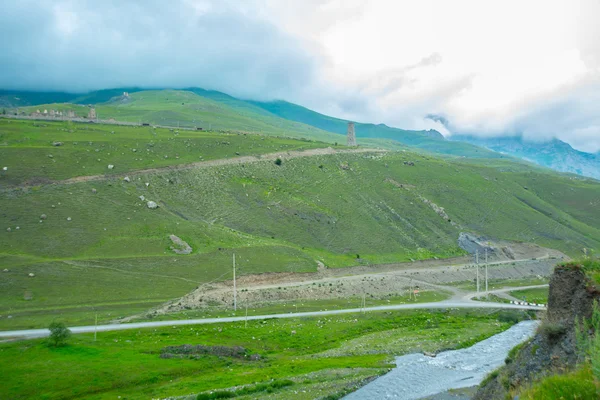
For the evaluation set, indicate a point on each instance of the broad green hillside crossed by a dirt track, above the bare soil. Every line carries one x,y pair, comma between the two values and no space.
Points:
94,245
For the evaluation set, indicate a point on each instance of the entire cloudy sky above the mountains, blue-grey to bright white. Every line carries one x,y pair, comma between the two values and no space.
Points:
487,68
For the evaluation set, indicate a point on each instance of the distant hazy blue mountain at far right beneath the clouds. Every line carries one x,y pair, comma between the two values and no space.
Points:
554,154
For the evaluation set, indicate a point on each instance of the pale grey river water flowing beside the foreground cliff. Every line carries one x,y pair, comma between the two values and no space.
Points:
417,376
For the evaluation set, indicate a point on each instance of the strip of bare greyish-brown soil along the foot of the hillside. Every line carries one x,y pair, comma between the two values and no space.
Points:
374,281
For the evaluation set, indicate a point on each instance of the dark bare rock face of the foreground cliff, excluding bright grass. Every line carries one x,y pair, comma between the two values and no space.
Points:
553,348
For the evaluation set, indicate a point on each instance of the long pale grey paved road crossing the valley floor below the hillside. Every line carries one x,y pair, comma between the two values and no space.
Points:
37,333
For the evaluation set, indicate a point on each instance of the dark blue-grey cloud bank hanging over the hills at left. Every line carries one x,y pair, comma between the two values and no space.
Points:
87,45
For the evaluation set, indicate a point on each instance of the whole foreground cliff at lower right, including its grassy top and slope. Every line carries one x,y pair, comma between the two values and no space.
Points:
562,360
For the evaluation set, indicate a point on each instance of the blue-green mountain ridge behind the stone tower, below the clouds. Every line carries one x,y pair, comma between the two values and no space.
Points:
214,110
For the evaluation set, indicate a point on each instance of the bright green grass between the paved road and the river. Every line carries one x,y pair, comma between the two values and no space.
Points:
289,349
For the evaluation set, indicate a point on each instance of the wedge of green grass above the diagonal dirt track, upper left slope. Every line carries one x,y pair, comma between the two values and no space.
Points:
88,149
